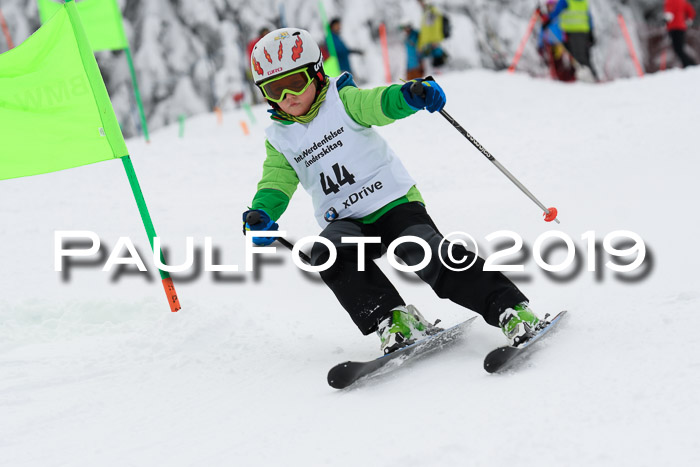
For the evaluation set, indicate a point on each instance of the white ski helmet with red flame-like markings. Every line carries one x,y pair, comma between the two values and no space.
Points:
284,50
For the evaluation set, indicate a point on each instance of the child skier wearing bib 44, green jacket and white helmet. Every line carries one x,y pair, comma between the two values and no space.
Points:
322,137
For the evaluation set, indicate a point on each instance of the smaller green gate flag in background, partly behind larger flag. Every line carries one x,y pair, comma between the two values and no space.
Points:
101,19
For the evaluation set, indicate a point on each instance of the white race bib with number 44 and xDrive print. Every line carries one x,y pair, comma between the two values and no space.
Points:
349,170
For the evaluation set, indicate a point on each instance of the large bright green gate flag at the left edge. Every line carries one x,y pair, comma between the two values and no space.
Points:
55,112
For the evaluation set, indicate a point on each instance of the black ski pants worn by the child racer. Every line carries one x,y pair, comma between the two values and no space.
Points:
369,297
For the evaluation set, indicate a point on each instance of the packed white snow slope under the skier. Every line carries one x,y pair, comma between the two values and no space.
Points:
95,369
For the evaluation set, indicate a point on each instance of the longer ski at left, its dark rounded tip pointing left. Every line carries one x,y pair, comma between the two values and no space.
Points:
345,374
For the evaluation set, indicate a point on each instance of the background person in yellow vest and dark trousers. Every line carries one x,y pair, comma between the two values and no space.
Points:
576,22
